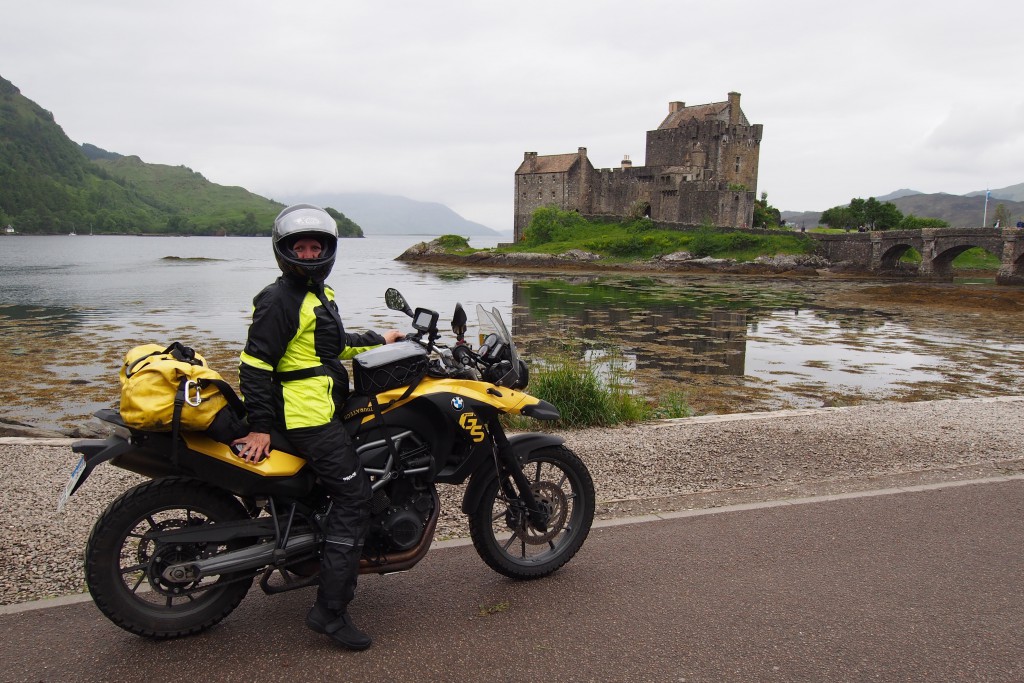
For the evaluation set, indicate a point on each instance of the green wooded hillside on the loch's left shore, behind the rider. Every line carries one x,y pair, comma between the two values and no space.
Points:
50,185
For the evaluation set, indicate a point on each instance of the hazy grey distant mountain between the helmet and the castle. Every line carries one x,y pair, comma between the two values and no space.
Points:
391,215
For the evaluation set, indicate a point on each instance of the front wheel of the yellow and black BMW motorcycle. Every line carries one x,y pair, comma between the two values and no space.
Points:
500,527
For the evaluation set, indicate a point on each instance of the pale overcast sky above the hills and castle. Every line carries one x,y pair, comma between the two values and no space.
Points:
439,101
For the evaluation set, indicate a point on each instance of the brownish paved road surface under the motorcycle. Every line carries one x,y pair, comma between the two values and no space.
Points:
901,587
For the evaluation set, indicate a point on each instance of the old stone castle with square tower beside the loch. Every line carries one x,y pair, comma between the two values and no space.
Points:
702,166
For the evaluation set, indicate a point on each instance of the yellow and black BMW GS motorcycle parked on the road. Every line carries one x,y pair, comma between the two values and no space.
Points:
177,554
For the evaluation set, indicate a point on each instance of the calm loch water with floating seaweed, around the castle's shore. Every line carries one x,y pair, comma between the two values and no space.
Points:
71,307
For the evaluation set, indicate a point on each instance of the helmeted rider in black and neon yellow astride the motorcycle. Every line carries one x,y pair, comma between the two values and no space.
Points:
292,379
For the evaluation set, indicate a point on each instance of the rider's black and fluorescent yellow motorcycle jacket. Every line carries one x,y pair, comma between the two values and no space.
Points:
290,373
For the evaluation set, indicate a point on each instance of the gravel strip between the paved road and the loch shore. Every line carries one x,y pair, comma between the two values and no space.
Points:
673,465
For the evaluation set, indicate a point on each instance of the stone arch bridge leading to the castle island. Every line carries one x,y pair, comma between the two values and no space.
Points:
880,252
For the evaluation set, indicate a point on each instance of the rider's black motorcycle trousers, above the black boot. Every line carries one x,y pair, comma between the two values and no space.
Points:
329,451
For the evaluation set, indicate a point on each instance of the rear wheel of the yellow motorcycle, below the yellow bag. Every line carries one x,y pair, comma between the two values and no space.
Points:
124,570
